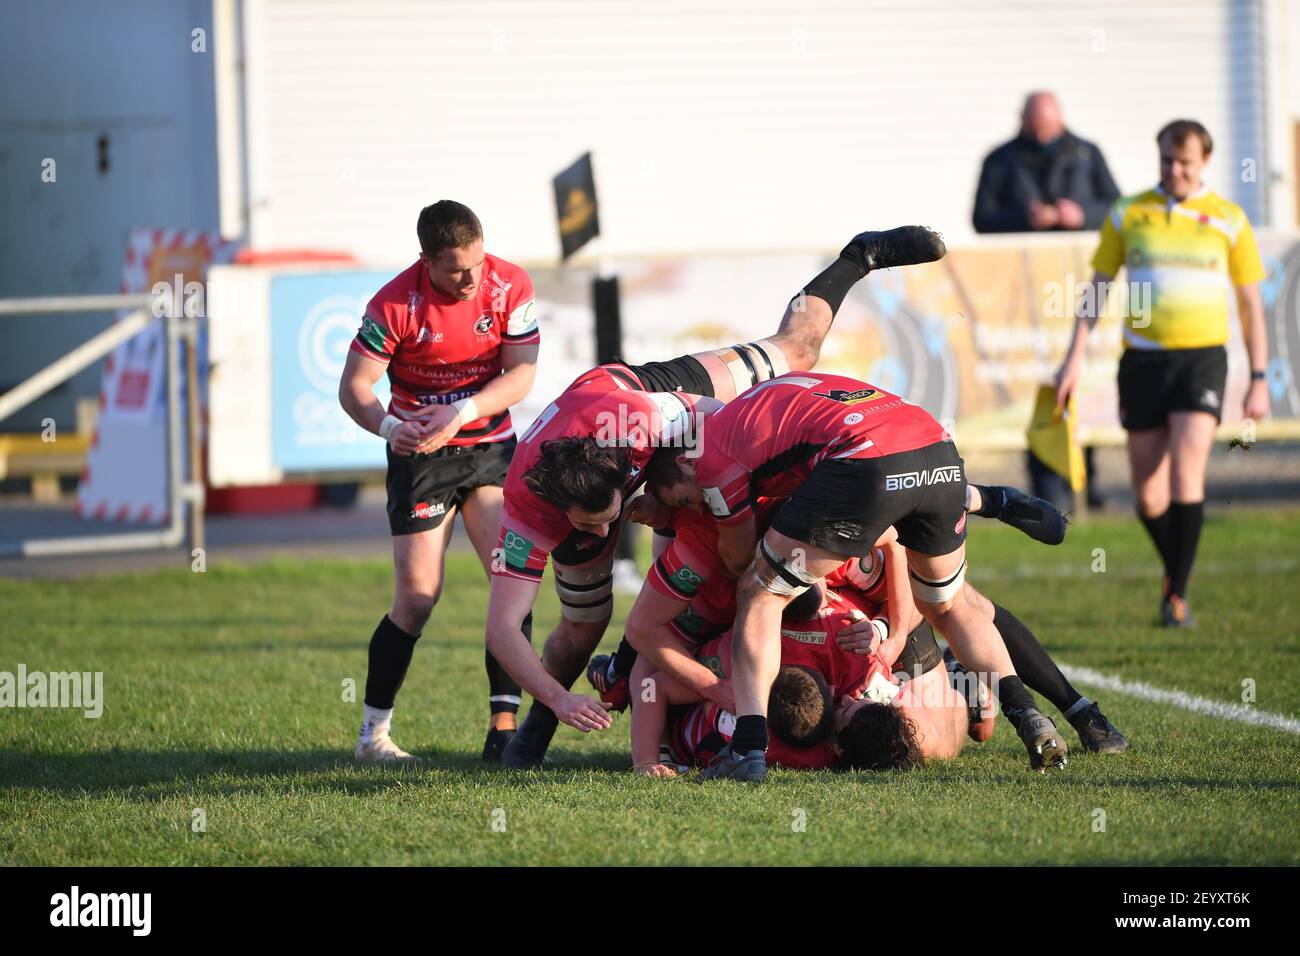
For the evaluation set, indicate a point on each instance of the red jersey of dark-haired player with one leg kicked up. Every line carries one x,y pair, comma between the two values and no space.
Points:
603,404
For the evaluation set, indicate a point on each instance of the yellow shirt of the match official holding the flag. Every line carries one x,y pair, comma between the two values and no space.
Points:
1188,258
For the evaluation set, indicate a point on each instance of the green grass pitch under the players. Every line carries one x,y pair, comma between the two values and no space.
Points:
226,694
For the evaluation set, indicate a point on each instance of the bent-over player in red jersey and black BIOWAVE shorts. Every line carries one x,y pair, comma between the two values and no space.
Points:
852,461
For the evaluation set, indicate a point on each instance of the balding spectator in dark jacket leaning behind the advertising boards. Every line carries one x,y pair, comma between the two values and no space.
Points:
1045,179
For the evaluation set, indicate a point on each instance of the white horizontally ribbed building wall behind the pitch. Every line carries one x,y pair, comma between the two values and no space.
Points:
726,126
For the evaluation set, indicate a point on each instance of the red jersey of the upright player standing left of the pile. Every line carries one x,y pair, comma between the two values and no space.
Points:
440,349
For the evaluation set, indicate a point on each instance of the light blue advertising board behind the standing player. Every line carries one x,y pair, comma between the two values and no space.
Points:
314,319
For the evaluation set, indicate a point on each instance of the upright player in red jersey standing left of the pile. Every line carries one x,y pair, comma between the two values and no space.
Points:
457,335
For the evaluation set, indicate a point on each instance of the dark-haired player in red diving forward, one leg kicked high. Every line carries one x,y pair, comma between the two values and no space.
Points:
584,456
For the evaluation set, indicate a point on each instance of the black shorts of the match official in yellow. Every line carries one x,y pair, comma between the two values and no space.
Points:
1155,383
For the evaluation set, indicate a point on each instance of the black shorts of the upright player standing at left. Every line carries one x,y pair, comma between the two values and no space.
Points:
423,490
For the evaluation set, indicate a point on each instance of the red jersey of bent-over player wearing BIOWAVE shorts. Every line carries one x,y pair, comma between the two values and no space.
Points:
769,439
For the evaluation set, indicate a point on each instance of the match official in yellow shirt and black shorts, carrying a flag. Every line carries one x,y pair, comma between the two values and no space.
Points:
1184,246
